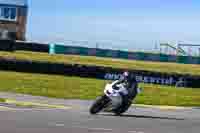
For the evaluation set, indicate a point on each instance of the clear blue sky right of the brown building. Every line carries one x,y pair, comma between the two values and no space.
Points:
115,24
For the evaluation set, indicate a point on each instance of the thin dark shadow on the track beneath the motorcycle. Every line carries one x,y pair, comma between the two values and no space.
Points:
144,117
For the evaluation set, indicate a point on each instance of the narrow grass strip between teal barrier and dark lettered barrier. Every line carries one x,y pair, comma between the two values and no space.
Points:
116,63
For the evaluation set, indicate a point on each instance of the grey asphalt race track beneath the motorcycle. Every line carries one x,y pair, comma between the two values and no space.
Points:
76,119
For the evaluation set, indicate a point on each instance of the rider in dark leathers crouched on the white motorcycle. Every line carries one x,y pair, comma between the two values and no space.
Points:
130,84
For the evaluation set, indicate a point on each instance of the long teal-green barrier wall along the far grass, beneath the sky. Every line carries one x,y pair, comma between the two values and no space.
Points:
60,49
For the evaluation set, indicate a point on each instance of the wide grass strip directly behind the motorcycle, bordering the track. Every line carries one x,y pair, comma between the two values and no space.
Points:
87,88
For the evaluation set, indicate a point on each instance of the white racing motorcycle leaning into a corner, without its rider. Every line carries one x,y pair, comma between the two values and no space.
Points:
111,101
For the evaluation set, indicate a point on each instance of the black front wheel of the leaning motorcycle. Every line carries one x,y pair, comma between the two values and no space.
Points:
99,104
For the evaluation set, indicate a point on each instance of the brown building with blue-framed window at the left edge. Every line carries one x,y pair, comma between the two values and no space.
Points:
13,19
